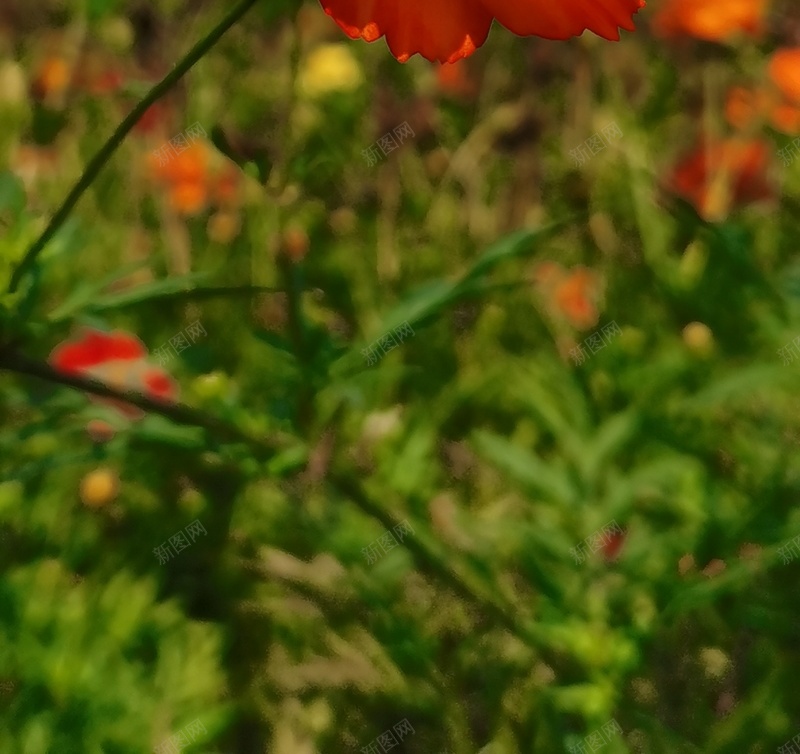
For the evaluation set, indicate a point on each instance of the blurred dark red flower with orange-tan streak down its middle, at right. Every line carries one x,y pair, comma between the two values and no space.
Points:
718,177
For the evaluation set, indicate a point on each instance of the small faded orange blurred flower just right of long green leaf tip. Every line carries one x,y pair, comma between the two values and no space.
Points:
572,295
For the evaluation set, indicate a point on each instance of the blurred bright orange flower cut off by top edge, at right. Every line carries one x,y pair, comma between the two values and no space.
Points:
712,20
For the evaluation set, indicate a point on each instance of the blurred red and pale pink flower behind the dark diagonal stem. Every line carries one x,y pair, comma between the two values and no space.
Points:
119,360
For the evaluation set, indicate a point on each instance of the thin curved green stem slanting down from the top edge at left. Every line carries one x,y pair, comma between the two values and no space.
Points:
101,158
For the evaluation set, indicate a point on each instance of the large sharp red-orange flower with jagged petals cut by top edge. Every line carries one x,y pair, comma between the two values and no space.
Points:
447,30
